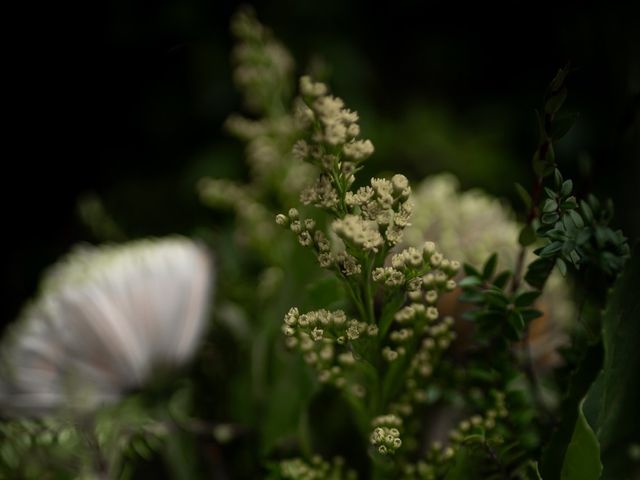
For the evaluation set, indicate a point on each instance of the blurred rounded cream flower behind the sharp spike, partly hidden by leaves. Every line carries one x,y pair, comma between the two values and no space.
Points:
472,225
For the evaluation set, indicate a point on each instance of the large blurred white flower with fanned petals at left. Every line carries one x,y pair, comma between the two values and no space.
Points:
106,318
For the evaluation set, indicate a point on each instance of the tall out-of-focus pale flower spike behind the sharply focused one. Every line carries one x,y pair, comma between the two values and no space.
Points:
263,73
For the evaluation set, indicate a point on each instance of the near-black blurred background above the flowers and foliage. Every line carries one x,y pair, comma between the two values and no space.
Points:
126,99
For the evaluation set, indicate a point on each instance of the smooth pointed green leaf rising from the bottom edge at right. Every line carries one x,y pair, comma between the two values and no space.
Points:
582,460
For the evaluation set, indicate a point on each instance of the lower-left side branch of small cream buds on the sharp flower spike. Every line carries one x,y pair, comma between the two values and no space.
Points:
323,337
